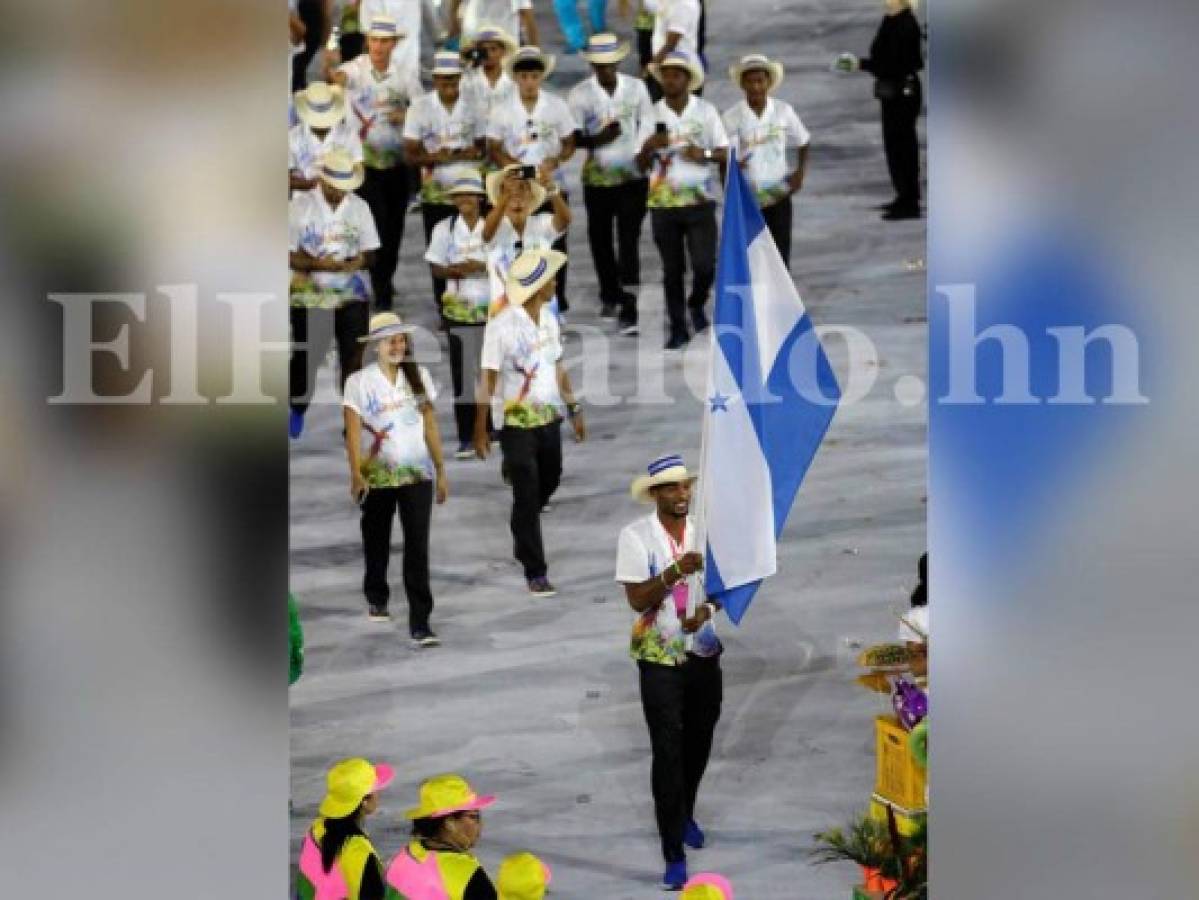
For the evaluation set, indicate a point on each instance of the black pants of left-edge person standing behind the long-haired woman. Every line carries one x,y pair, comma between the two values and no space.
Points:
311,334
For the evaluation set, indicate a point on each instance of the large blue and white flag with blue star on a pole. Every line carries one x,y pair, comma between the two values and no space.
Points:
772,395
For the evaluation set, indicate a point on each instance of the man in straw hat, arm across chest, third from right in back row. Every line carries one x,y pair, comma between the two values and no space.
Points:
616,117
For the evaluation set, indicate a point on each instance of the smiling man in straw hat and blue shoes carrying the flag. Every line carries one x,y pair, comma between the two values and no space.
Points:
677,651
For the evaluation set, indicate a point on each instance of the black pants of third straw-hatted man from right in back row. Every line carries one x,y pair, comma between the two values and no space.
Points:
622,208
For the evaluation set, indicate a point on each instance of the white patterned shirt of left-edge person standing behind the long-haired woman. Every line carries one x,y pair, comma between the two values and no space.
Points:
322,232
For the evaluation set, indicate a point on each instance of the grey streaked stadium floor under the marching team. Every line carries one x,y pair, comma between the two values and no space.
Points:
538,702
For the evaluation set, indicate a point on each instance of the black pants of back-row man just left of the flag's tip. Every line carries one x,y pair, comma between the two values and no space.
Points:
679,233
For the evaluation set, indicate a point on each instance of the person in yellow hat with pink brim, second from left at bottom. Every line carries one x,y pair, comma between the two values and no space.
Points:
438,865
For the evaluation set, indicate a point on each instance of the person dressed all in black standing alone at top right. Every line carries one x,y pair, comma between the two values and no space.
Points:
896,58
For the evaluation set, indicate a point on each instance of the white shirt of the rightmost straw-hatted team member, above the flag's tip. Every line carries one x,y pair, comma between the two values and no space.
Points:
764,143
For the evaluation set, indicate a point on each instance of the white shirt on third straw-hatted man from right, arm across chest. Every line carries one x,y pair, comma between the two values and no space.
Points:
594,108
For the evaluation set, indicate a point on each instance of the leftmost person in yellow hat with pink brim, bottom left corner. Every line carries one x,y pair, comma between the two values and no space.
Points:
338,859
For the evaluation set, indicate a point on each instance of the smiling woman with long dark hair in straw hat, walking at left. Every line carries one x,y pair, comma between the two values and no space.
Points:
394,448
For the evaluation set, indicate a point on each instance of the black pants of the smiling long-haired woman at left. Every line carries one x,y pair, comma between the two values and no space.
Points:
415,505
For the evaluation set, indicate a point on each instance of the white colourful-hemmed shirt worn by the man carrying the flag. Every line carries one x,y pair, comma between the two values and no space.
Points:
646,551
